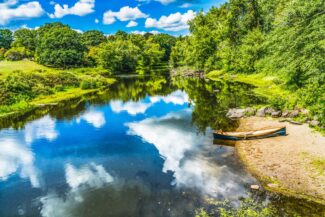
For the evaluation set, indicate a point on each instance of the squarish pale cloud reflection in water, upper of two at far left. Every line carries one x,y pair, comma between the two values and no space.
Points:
41,128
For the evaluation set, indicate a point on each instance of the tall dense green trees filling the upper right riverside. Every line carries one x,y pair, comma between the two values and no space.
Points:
282,38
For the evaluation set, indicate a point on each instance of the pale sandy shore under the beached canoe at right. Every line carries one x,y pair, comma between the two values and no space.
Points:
293,165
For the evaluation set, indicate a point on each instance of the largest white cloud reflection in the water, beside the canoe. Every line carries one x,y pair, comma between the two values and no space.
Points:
190,156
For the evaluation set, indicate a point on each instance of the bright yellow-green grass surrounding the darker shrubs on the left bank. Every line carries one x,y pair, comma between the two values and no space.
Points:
66,93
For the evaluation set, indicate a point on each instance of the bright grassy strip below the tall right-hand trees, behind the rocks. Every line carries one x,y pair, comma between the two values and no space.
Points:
278,96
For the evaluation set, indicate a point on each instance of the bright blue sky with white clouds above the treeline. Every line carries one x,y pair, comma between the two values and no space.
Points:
108,16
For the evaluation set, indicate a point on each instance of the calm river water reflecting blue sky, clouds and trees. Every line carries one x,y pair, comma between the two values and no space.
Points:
142,149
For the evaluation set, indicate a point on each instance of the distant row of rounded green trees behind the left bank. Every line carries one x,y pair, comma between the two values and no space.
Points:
57,45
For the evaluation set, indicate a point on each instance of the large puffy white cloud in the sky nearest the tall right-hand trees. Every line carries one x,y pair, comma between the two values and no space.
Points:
173,22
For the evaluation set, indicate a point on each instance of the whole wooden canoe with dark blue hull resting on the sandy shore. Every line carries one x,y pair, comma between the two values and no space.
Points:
257,134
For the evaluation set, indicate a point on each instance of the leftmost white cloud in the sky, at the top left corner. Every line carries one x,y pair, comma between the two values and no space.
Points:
10,11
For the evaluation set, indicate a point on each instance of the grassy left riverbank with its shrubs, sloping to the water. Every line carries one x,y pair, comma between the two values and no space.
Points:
25,85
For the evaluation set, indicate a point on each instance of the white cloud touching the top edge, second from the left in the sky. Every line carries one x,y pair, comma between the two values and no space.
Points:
80,8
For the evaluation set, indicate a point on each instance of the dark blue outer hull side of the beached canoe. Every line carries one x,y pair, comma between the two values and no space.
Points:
223,136
